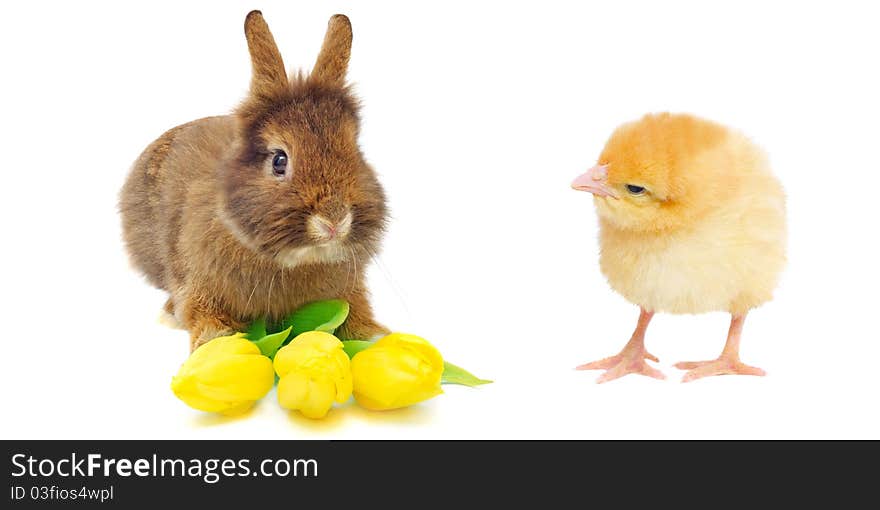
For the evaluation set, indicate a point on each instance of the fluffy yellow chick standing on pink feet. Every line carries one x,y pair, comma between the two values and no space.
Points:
691,220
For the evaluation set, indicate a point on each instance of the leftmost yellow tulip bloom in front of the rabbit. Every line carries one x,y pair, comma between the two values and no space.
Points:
226,375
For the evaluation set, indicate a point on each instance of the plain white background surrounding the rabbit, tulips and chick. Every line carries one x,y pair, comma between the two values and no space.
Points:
477,116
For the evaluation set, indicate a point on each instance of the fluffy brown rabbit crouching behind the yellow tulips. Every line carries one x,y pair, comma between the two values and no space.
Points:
256,213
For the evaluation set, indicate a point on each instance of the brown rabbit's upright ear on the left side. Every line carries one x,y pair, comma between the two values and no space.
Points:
268,77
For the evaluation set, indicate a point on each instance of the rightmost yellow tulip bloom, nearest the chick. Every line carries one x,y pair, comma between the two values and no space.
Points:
399,370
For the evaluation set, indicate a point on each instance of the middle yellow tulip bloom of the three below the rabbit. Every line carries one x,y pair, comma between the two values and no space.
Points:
314,372
